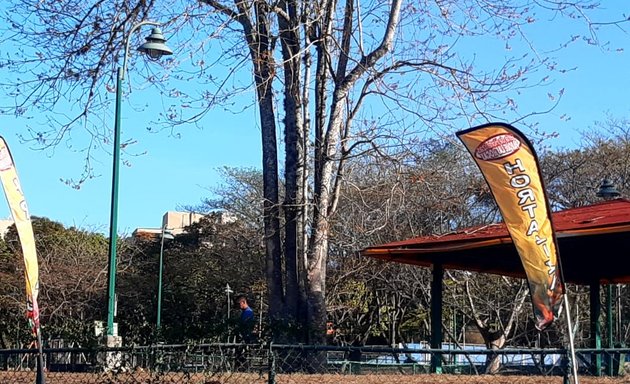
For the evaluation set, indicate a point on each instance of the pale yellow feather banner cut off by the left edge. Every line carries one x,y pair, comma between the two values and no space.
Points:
22,219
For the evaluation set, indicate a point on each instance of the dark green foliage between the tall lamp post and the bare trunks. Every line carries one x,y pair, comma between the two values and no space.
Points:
198,265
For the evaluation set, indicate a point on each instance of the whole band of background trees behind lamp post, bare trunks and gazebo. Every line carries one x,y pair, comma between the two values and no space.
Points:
367,302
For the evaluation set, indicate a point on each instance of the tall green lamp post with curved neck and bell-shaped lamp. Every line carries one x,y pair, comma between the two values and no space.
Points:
155,48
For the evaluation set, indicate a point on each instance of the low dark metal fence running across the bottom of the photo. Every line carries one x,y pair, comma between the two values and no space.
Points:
271,364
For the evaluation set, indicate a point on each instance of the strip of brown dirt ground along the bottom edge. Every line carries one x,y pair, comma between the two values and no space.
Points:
236,378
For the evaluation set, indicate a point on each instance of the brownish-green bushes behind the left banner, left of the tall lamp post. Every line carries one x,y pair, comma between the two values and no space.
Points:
69,283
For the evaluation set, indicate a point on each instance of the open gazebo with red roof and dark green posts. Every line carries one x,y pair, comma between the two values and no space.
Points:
592,241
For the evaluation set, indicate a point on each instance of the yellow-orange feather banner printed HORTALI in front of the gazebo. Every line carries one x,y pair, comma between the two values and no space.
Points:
510,166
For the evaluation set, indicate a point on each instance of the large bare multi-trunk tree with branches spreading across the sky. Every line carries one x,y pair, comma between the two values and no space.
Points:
326,59
